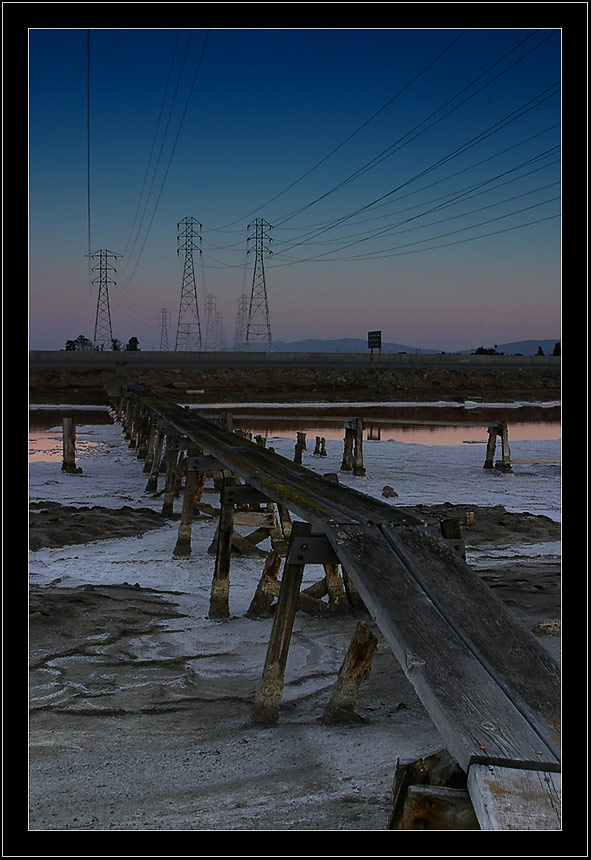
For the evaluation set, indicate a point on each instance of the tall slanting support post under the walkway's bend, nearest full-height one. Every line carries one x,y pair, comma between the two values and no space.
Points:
270,688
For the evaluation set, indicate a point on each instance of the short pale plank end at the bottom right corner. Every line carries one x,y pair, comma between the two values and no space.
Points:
512,799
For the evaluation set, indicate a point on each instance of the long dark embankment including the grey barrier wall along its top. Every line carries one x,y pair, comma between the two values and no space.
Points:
88,378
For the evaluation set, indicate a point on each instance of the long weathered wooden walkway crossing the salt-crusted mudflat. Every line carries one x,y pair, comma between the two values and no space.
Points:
491,689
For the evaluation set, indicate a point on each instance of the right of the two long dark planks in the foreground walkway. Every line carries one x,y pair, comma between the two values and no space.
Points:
507,649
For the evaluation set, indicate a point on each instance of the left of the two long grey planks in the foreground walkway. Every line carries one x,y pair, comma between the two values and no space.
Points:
473,714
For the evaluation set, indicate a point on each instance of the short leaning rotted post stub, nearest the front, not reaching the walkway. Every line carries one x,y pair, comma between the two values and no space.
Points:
355,669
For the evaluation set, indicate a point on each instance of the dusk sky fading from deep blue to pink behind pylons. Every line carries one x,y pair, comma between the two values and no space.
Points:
407,180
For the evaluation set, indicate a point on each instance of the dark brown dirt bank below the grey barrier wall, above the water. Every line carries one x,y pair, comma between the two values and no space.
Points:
298,383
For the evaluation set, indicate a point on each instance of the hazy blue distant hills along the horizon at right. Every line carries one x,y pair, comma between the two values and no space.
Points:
350,344
